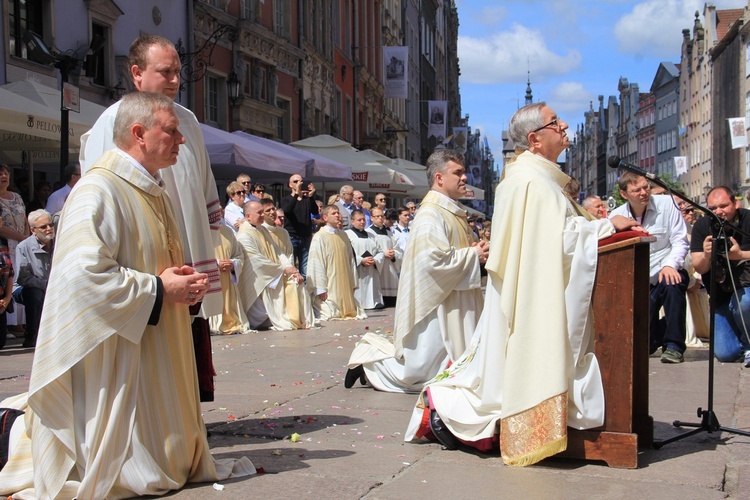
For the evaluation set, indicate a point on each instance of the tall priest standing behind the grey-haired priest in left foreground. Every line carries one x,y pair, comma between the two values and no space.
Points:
155,67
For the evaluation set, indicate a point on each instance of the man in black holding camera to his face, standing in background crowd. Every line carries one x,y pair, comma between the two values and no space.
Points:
299,209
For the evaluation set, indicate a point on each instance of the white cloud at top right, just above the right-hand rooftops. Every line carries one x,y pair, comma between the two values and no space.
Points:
654,27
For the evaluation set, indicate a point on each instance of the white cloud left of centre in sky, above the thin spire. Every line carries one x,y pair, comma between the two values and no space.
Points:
502,57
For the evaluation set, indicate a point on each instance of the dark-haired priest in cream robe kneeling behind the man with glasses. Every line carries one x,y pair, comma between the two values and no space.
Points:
439,295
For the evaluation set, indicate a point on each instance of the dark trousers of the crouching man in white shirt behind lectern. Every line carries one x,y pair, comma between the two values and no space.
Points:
669,332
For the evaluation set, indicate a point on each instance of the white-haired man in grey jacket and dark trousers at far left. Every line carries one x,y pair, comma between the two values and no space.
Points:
33,264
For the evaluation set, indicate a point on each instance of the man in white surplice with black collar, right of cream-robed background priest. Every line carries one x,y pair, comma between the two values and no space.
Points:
369,259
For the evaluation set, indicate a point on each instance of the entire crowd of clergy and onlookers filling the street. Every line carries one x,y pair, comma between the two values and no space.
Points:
152,255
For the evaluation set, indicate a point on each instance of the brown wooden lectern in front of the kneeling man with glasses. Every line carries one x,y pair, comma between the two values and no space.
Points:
621,332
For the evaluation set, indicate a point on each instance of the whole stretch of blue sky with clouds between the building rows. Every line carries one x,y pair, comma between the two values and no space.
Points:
575,50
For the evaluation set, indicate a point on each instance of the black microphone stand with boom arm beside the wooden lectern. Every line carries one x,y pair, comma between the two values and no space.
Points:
709,422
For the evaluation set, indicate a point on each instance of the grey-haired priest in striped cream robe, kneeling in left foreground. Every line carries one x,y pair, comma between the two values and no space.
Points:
113,406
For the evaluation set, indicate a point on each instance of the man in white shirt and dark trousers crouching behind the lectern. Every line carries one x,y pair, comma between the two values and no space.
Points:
669,280
